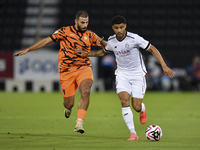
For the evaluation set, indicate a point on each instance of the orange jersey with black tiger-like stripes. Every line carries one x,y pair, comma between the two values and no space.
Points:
70,39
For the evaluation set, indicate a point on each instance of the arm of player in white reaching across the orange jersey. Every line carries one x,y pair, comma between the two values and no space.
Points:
98,53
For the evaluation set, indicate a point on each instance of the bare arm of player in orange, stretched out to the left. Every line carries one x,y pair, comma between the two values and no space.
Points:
39,44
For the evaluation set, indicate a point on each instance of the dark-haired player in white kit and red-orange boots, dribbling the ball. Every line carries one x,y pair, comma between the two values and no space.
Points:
130,72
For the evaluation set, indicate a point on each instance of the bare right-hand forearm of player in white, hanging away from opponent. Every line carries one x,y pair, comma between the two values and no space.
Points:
158,56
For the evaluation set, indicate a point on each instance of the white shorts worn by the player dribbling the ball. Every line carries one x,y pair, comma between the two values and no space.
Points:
134,85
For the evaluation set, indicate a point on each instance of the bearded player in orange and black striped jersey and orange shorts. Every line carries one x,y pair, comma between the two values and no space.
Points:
75,71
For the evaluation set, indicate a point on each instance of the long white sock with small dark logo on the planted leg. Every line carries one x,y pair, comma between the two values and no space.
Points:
128,118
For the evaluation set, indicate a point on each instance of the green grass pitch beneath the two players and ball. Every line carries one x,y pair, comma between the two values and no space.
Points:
36,121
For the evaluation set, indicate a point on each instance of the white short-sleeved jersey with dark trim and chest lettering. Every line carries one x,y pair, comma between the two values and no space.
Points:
128,56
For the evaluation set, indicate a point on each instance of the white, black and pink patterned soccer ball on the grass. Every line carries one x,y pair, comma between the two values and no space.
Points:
153,133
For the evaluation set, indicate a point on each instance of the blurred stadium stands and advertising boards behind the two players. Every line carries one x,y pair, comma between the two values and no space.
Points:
172,26
